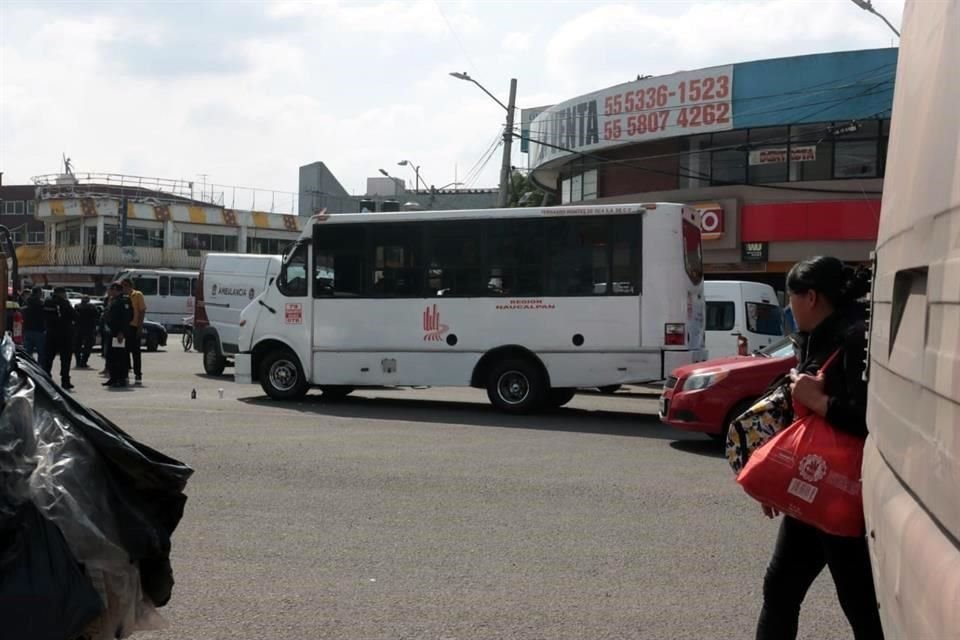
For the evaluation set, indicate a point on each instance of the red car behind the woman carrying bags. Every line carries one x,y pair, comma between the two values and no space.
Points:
707,396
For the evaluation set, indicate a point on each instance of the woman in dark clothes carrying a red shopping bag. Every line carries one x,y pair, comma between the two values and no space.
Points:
824,298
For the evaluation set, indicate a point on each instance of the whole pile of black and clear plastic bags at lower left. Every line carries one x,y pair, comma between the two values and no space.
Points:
86,515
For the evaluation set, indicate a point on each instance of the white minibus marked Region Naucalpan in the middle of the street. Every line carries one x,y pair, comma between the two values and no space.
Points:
529,304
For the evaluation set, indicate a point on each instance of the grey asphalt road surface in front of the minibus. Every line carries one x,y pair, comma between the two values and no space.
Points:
426,514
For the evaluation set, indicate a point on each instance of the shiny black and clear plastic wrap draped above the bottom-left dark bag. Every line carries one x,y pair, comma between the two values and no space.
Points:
116,500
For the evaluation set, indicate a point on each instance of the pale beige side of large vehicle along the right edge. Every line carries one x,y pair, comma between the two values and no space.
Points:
911,468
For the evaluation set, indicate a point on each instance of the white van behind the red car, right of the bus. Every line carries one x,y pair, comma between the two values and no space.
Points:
741,317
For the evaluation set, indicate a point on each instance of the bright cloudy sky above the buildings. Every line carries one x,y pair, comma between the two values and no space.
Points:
244,93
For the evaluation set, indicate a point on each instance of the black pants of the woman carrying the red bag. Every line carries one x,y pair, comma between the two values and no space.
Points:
801,553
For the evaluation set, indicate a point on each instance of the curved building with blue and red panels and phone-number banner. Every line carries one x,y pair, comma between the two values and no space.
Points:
784,157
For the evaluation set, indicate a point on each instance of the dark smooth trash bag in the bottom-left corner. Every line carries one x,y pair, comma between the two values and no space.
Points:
44,593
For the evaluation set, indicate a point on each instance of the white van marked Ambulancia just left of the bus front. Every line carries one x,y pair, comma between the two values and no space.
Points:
228,282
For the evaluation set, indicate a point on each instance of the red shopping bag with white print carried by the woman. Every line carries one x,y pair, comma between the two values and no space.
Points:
810,471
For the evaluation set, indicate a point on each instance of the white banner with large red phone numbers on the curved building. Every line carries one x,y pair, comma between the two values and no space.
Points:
664,107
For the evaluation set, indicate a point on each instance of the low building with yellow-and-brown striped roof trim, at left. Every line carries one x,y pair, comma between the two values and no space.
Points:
89,239
